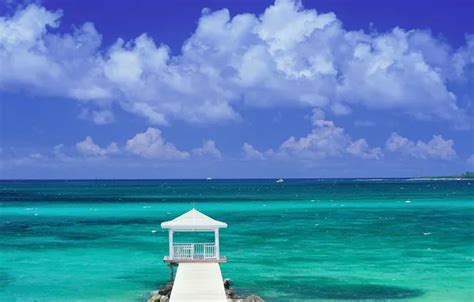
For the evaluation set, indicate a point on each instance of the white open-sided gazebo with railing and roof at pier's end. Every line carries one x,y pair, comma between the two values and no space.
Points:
193,221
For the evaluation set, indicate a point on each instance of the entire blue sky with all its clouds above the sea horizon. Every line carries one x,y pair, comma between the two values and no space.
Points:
235,89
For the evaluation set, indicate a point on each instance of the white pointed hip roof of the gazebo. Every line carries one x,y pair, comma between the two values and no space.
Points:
193,220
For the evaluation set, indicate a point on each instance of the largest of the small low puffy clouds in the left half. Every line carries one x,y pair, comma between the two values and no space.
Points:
151,144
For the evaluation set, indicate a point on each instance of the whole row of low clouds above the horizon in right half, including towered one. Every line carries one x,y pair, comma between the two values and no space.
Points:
326,140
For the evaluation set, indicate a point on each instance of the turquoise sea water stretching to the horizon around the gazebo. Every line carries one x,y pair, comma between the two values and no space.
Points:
301,240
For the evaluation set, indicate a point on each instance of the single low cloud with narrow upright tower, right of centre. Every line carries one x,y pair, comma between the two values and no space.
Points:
326,140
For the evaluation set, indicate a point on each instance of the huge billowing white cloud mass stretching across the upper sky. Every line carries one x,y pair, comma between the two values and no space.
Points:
287,55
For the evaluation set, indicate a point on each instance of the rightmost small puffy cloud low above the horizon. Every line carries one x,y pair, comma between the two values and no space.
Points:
436,148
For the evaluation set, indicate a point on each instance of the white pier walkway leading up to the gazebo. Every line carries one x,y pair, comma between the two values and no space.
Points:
198,281
